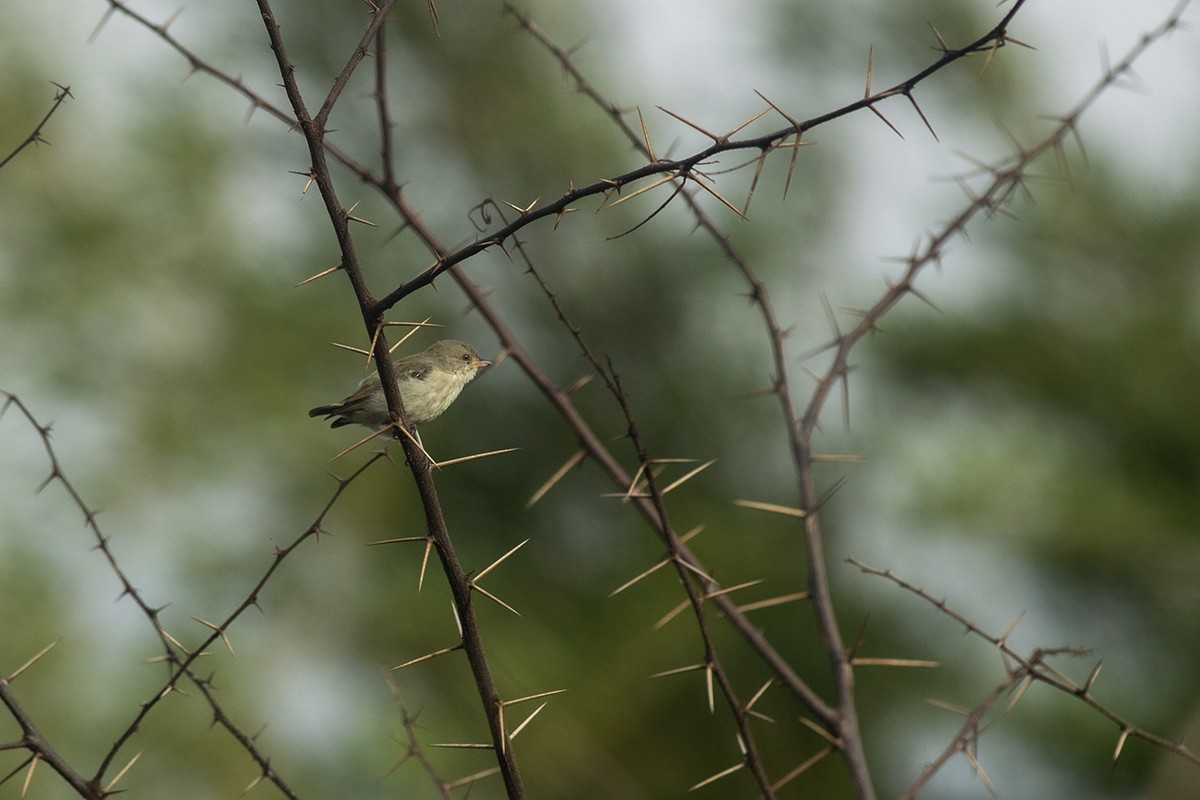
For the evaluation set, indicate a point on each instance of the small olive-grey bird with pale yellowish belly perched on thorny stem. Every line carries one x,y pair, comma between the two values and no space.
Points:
429,382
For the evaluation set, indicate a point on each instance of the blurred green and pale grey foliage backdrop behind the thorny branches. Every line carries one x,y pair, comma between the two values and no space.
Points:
1031,446
